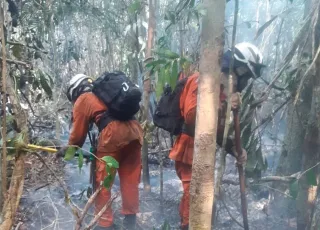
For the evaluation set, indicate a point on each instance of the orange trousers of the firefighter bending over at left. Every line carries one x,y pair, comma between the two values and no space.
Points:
129,170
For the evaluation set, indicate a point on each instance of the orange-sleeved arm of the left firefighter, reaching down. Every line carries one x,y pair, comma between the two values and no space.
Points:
80,127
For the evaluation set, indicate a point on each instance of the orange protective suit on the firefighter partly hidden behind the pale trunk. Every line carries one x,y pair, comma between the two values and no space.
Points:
182,151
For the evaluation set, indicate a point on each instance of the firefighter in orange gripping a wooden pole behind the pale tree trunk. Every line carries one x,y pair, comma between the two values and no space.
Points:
248,62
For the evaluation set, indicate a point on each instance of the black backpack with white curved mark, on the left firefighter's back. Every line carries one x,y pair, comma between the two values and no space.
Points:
121,96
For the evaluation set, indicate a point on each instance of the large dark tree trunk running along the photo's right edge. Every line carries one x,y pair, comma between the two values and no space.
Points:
307,194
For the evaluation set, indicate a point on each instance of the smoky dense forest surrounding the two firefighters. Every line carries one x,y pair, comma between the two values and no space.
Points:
45,43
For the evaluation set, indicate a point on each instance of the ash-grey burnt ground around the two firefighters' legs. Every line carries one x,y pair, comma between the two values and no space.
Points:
43,207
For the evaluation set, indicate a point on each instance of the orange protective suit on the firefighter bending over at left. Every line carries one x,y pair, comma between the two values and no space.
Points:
121,140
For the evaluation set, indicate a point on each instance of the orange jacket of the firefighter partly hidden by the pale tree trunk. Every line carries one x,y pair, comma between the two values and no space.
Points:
184,145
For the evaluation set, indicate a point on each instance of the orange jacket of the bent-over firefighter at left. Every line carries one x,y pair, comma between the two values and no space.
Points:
115,136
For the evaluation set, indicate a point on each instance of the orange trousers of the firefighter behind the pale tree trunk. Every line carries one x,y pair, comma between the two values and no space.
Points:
184,172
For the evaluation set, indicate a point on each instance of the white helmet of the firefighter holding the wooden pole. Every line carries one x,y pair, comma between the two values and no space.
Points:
251,56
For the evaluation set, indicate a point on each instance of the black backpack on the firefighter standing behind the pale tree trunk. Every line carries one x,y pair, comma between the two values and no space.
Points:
167,114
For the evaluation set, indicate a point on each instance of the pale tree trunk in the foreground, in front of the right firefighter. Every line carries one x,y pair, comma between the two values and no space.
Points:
202,183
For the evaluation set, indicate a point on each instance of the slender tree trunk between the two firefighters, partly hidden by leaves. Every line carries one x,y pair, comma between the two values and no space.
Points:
146,98
